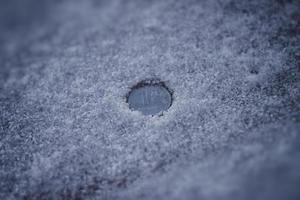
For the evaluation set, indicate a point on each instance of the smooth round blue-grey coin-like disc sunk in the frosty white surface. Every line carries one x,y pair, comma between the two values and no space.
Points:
150,99
